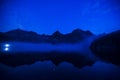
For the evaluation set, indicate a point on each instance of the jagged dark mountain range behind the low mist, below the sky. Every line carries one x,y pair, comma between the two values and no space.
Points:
57,37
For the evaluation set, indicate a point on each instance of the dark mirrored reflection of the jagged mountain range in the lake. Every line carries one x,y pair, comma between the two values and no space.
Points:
18,59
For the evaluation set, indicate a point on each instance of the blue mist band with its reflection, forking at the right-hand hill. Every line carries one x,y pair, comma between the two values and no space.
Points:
81,48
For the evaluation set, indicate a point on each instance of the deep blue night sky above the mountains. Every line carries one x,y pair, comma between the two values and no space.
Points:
47,16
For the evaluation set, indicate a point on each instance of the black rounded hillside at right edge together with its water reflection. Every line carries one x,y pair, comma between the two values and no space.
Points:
108,47
